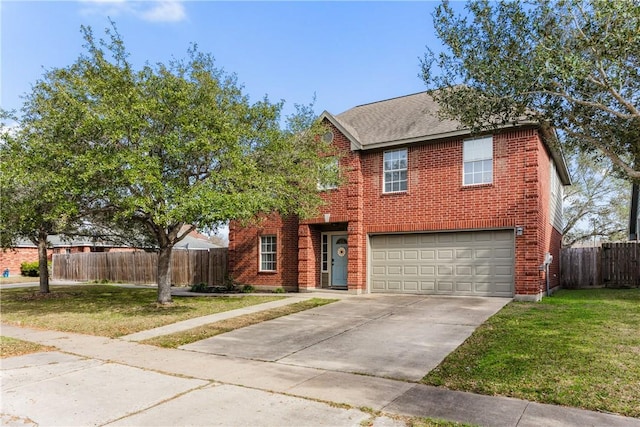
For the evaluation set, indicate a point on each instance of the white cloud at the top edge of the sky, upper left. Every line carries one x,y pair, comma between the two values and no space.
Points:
152,11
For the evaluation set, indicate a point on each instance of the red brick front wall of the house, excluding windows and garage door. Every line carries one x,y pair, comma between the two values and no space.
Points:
435,200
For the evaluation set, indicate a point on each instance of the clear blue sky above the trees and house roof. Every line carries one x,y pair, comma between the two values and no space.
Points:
347,53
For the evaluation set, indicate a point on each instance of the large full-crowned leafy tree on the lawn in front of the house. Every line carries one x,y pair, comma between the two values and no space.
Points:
179,146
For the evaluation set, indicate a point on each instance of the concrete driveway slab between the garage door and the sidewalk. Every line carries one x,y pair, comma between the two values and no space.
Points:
392,336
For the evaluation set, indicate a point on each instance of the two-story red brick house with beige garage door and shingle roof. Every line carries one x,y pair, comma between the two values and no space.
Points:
424,208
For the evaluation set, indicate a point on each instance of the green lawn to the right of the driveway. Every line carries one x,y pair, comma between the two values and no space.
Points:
577,348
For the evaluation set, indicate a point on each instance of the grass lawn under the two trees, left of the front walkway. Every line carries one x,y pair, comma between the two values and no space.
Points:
110,311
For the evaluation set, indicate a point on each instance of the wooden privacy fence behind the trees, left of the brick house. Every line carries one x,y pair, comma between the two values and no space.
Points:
188,267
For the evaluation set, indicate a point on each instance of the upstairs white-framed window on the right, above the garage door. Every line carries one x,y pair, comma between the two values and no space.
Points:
478,161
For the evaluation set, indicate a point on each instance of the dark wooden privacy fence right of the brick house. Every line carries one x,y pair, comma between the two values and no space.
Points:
614,265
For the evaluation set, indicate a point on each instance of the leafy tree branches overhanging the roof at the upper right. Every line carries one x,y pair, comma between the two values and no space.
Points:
574,64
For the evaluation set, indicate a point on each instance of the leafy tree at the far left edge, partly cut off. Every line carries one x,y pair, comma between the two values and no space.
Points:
41,190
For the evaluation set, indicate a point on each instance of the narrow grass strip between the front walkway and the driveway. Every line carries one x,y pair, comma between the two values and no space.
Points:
207,331
